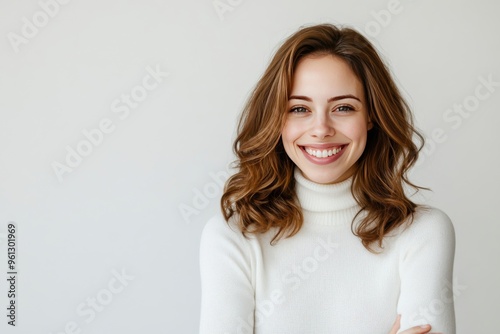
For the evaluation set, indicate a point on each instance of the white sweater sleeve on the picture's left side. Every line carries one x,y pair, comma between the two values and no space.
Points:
227,293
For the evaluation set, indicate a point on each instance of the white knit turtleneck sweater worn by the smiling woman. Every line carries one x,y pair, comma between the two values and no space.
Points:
322,280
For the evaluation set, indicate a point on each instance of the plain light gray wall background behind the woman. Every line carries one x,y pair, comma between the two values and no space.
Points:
120,209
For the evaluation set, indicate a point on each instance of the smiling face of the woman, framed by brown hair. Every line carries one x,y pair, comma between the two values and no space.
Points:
327,123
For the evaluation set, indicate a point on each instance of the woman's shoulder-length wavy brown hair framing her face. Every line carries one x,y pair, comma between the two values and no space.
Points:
261,194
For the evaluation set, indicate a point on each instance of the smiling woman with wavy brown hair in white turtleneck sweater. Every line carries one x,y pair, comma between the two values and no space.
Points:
317,233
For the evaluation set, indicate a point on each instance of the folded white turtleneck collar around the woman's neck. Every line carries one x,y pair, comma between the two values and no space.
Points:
326,204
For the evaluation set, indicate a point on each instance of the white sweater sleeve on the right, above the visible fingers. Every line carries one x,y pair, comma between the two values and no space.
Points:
426,272
